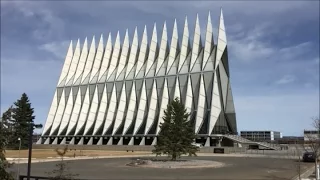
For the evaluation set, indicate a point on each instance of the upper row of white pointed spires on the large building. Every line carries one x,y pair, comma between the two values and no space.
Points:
111,63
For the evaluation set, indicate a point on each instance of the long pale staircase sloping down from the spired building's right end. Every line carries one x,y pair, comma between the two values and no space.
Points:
242,140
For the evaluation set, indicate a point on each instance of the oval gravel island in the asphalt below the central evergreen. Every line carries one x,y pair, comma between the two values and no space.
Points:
154,163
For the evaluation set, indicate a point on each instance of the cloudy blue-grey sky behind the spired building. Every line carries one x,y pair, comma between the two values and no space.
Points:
273,50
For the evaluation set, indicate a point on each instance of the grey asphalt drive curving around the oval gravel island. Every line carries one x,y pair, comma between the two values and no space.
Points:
237,168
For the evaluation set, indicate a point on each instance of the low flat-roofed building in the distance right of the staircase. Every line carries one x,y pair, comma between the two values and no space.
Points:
261,135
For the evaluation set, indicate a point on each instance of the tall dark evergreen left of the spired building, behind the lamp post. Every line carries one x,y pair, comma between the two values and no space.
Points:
22,117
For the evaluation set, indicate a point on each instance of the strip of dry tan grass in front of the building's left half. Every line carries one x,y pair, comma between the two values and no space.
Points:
44,153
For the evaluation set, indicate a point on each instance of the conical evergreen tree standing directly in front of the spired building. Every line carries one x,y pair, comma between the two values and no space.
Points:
177,133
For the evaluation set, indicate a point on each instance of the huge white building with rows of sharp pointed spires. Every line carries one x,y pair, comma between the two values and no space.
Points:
115,94
